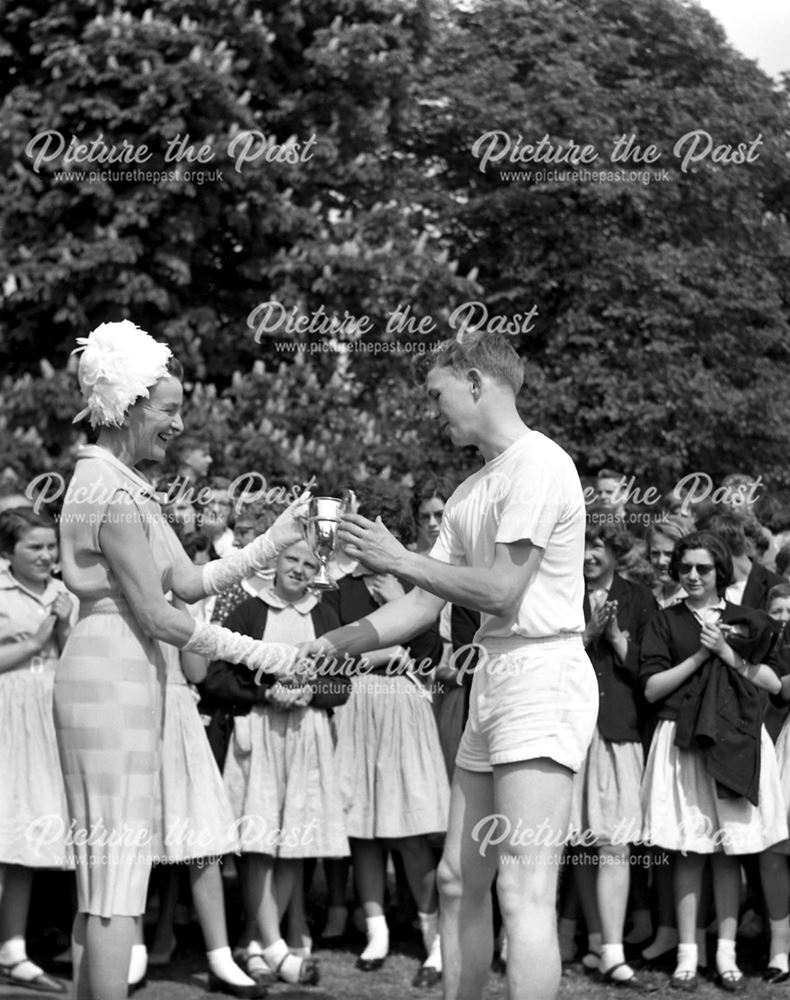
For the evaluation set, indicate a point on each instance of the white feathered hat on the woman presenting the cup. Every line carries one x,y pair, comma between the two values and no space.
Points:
119,362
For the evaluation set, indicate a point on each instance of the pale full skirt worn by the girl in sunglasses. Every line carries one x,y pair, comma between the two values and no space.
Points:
682,811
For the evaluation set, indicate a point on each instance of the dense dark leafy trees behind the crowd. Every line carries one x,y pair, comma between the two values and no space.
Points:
660,334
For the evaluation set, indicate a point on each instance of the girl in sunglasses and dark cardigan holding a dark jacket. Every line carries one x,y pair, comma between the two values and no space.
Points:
684,810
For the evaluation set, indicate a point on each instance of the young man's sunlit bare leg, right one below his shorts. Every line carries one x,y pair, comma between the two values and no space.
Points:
535,796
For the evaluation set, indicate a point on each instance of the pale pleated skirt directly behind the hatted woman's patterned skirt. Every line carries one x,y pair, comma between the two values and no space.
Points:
197,820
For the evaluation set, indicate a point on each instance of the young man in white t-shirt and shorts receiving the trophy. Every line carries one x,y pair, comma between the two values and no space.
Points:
511,546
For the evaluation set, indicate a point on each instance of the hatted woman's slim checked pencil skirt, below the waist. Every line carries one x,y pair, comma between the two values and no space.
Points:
108,709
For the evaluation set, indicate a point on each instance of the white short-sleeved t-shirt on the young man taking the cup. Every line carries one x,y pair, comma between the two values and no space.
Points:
530,492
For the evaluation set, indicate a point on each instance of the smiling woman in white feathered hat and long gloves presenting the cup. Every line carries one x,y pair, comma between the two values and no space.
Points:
120,557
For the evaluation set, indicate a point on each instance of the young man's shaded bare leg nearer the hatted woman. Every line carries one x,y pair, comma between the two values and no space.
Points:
464,876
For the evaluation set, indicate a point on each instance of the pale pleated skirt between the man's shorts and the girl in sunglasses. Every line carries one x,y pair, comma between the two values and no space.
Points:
606,804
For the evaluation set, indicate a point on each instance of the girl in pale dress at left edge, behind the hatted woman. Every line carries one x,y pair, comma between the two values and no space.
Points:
35,614
